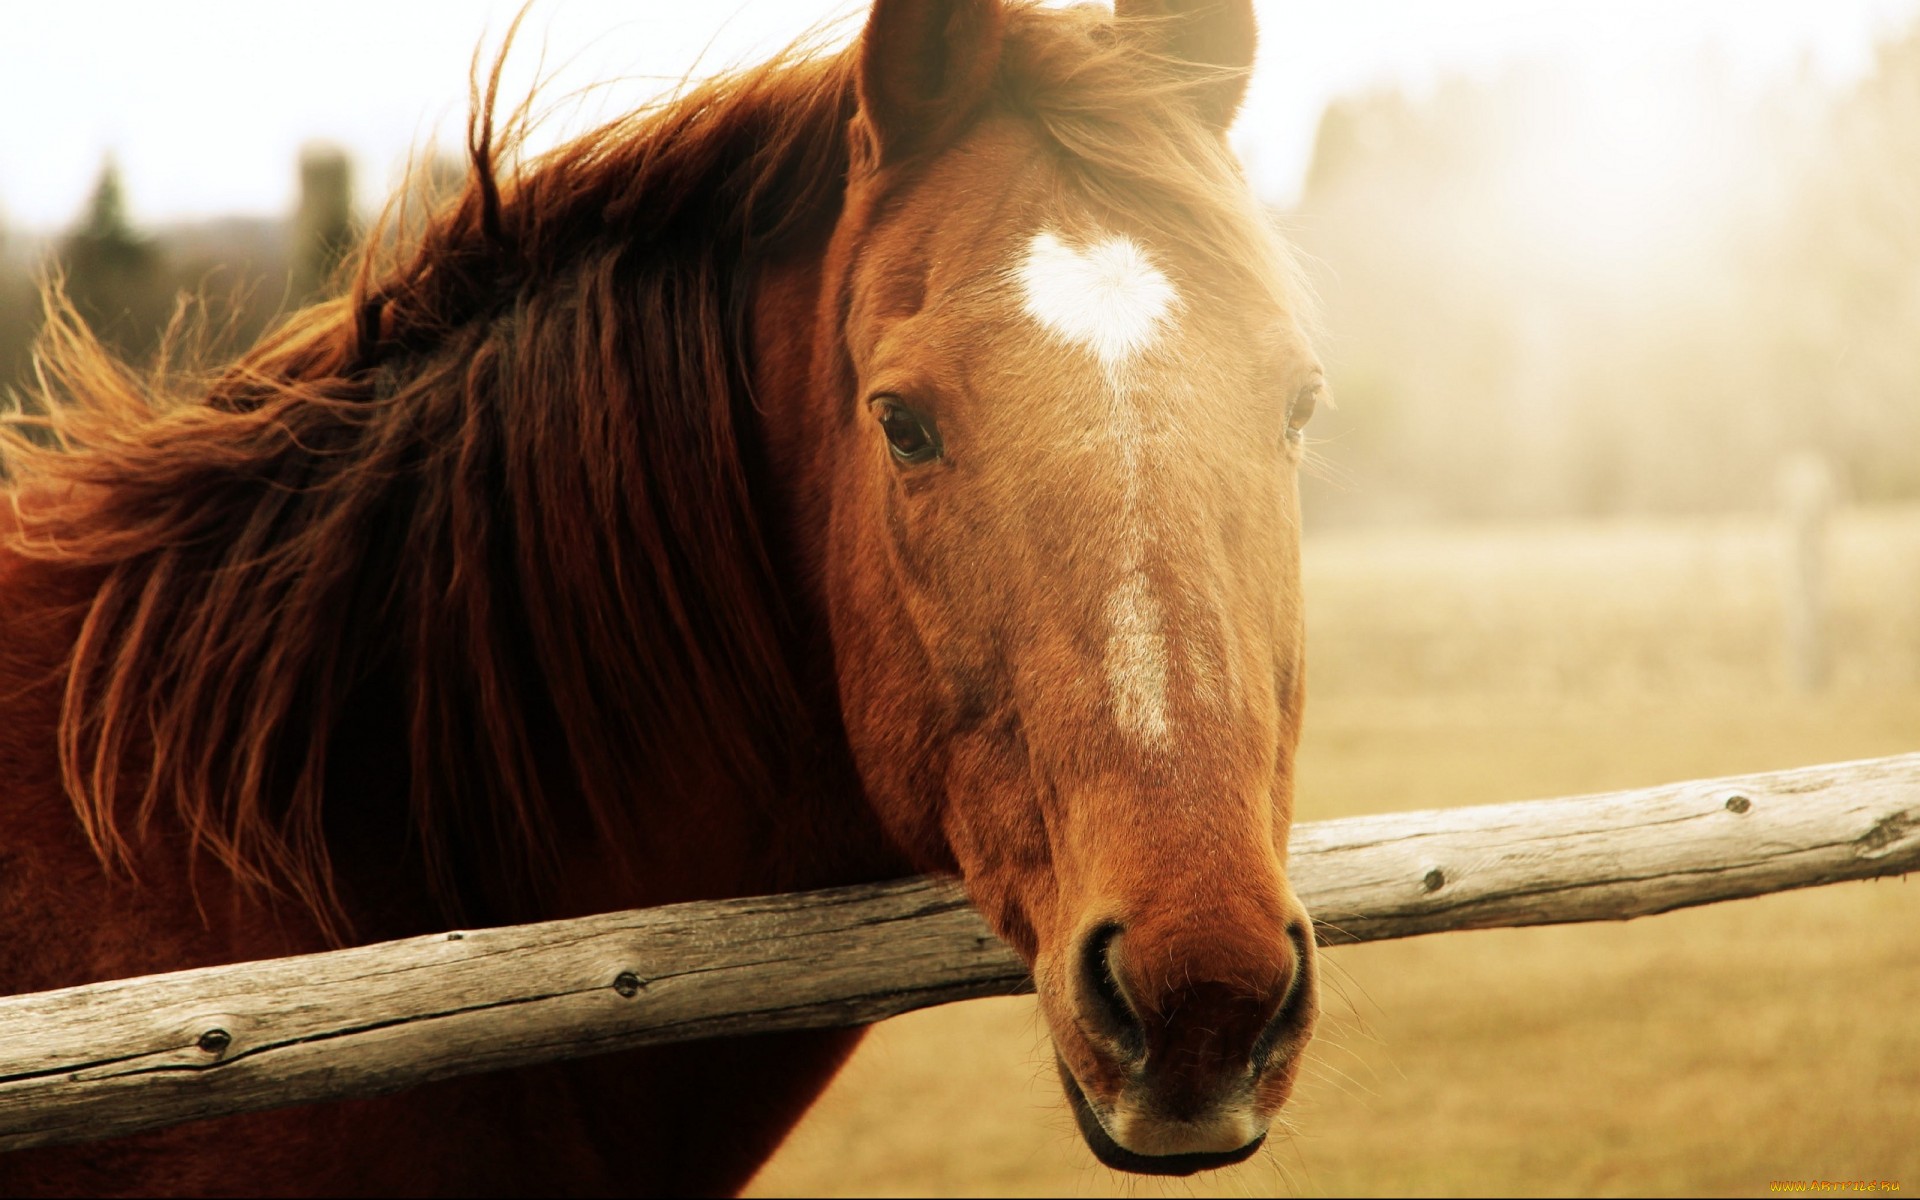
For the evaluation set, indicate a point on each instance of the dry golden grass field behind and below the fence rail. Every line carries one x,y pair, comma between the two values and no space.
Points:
1698,1053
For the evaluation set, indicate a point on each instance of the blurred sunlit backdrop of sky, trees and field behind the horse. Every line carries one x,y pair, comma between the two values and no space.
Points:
1621,306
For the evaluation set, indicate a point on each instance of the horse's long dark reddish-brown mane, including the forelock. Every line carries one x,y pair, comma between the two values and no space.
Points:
502,496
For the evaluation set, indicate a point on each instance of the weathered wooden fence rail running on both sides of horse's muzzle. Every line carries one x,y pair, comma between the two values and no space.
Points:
108,1059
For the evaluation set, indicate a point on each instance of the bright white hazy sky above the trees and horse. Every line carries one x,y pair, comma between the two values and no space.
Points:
206,103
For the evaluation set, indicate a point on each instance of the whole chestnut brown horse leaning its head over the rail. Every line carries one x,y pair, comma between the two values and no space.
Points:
861,466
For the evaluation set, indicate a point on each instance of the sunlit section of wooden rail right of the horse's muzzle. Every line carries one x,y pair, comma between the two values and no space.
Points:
1608,857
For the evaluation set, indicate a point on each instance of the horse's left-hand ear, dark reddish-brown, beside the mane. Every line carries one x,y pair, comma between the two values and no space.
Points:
924,66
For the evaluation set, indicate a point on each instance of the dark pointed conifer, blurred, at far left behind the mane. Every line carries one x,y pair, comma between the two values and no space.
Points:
114,276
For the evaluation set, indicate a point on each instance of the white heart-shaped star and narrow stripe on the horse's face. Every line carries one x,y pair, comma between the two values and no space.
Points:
1109,299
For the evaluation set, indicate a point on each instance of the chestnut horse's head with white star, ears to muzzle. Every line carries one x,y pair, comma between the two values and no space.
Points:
1059,389
